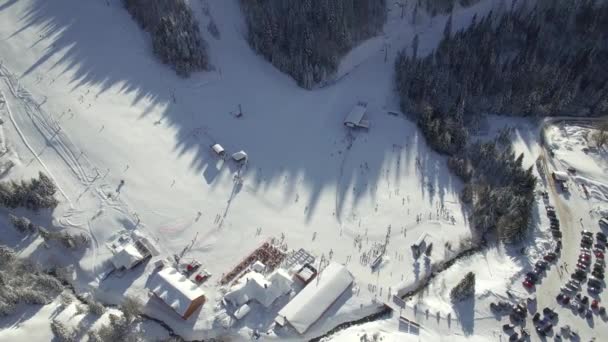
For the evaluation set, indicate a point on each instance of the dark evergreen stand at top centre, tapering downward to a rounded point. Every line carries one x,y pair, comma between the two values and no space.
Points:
306,39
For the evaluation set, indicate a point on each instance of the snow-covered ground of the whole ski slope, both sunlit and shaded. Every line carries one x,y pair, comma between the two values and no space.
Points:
87,103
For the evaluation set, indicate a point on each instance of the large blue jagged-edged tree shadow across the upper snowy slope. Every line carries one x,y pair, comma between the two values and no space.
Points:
289,133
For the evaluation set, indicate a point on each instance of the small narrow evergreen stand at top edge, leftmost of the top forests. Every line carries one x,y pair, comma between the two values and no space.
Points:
176,38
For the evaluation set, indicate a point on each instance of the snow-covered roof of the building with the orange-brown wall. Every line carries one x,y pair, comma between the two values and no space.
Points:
174,289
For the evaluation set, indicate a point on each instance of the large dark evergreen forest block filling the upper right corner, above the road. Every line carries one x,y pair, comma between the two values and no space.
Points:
550,60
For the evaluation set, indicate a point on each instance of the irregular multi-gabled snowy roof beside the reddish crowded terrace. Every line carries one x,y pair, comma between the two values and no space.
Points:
253,286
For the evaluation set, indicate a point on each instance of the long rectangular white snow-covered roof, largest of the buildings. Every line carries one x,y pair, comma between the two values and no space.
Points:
308,305
